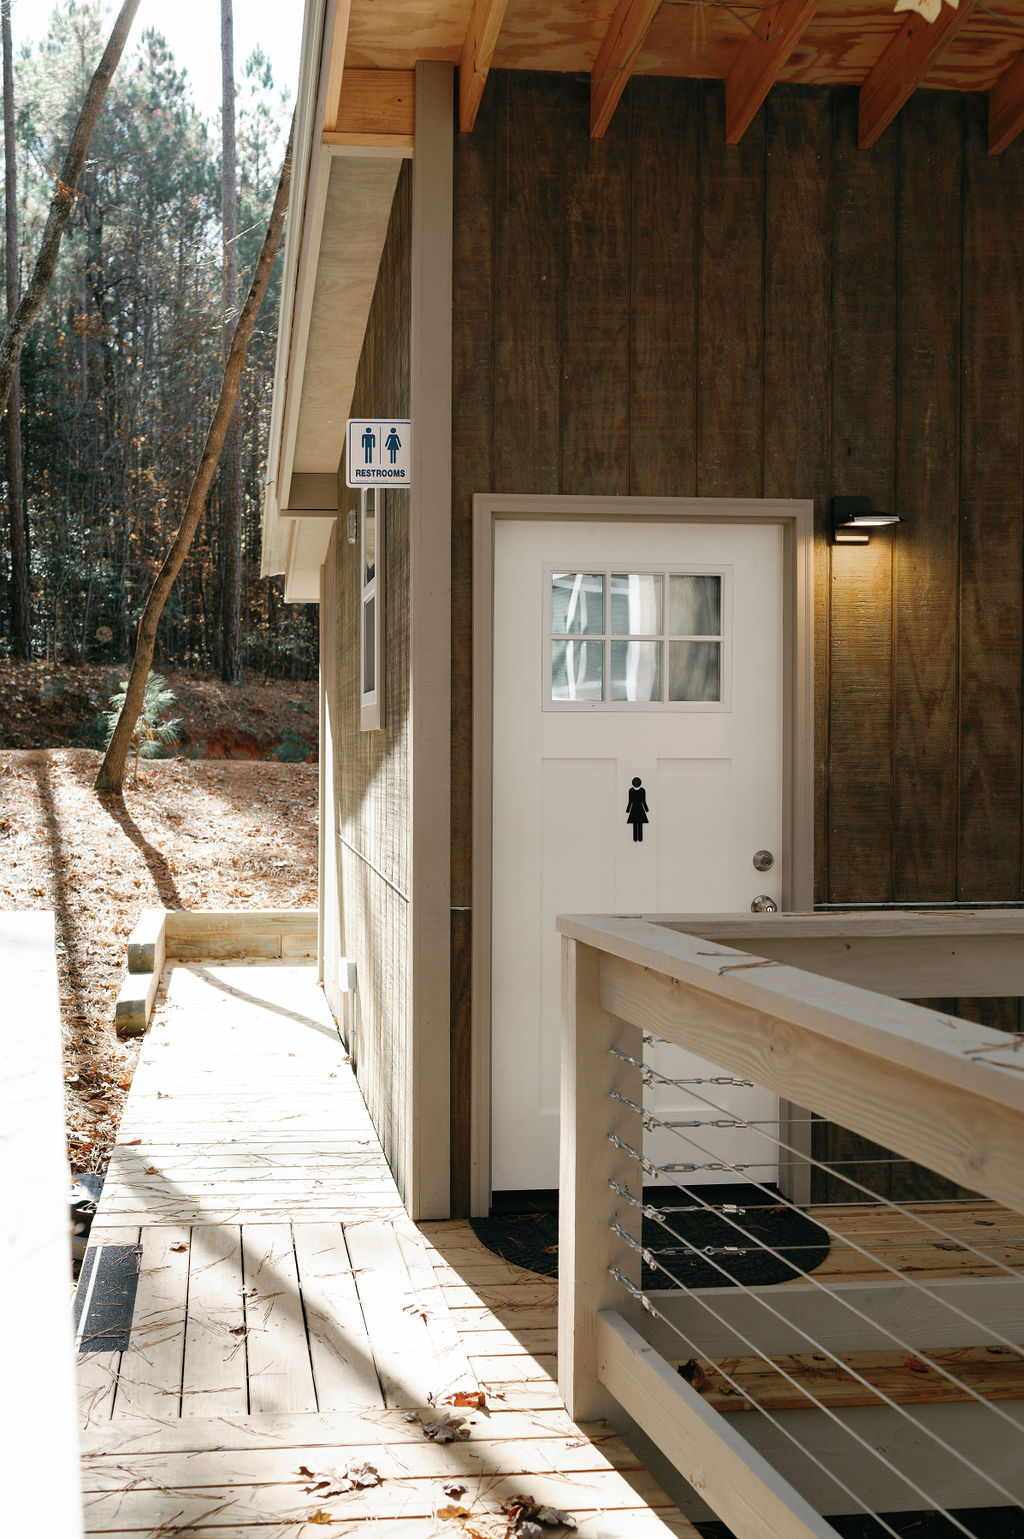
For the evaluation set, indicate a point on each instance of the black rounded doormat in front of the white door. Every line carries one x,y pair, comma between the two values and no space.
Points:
718,1249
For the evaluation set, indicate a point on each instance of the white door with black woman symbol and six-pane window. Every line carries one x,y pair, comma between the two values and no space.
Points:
638,769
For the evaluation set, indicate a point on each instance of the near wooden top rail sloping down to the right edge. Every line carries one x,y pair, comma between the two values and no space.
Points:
929,1086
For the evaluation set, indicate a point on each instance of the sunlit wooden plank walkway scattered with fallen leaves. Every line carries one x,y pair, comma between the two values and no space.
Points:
290,1317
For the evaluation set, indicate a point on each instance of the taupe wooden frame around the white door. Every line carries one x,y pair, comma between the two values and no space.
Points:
797,521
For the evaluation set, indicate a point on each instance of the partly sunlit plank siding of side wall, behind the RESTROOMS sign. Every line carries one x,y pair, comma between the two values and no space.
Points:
370,770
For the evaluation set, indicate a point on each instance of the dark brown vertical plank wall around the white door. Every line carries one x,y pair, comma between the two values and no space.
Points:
661,315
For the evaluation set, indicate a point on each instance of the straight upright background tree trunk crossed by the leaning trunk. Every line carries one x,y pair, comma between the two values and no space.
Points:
232,464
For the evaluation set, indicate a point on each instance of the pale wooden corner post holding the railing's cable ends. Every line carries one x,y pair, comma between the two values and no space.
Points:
589,1163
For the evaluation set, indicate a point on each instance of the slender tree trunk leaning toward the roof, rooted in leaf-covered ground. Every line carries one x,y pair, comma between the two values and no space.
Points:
112,776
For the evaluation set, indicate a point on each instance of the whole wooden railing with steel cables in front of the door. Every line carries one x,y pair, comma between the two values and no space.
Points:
792,1363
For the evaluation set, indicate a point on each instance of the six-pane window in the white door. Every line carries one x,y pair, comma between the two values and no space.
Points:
637,639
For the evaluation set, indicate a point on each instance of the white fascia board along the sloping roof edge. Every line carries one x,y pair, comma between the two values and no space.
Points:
303,245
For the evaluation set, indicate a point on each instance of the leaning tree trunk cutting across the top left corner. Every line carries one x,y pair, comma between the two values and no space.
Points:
62,204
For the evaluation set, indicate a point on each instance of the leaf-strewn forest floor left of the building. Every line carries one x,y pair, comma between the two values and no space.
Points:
192,835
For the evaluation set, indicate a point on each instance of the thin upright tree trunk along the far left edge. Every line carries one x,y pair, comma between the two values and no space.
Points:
21,615
